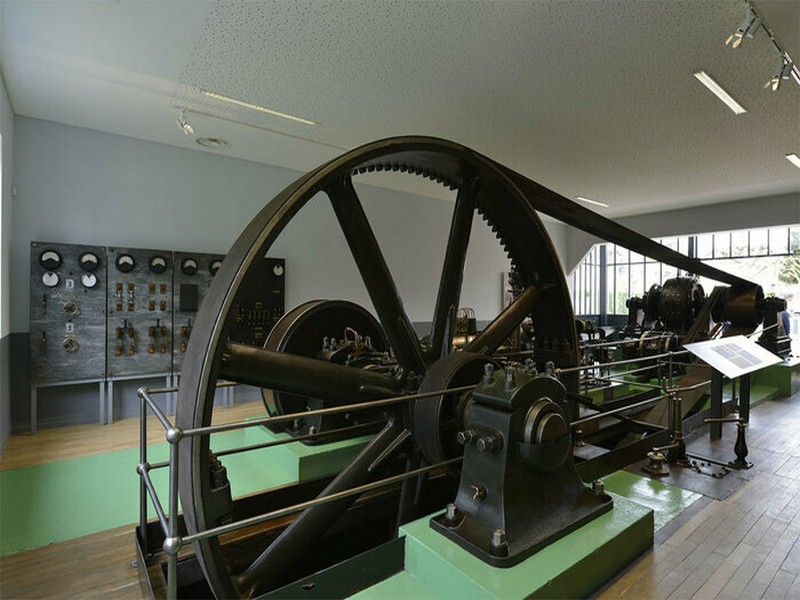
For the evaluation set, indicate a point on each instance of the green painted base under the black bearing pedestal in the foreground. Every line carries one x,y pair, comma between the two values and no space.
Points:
571,567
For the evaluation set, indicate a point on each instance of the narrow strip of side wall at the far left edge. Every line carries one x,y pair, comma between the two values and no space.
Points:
7,133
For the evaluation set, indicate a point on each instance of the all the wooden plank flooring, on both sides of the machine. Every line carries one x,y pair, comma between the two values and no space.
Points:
747,546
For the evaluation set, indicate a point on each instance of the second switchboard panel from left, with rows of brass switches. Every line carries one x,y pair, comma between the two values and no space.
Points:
139,304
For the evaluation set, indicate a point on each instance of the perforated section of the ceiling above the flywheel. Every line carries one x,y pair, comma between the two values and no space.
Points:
564,91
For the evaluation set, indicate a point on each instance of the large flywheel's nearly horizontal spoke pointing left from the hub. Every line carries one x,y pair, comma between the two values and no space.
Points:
302,375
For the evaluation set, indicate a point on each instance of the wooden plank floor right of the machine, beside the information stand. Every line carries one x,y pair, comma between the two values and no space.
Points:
747,546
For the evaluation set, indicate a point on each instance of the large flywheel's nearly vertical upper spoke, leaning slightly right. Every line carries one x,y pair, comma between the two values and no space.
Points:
453,268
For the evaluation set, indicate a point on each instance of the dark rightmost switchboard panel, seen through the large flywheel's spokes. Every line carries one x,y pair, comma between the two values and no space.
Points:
262,303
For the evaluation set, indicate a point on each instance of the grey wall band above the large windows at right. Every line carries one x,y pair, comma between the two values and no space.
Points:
777,210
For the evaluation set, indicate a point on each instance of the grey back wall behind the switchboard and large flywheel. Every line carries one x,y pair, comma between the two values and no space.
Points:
81,186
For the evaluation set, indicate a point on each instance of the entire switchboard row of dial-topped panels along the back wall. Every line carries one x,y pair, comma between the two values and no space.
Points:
99,312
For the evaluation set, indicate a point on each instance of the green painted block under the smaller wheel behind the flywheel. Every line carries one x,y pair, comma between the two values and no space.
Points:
309,462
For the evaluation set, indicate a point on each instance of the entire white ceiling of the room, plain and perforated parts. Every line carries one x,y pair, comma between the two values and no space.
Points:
589,98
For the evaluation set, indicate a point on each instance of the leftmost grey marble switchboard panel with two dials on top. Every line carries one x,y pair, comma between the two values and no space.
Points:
67,312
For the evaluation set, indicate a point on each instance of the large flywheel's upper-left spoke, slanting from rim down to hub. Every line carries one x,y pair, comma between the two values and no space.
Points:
375,273
